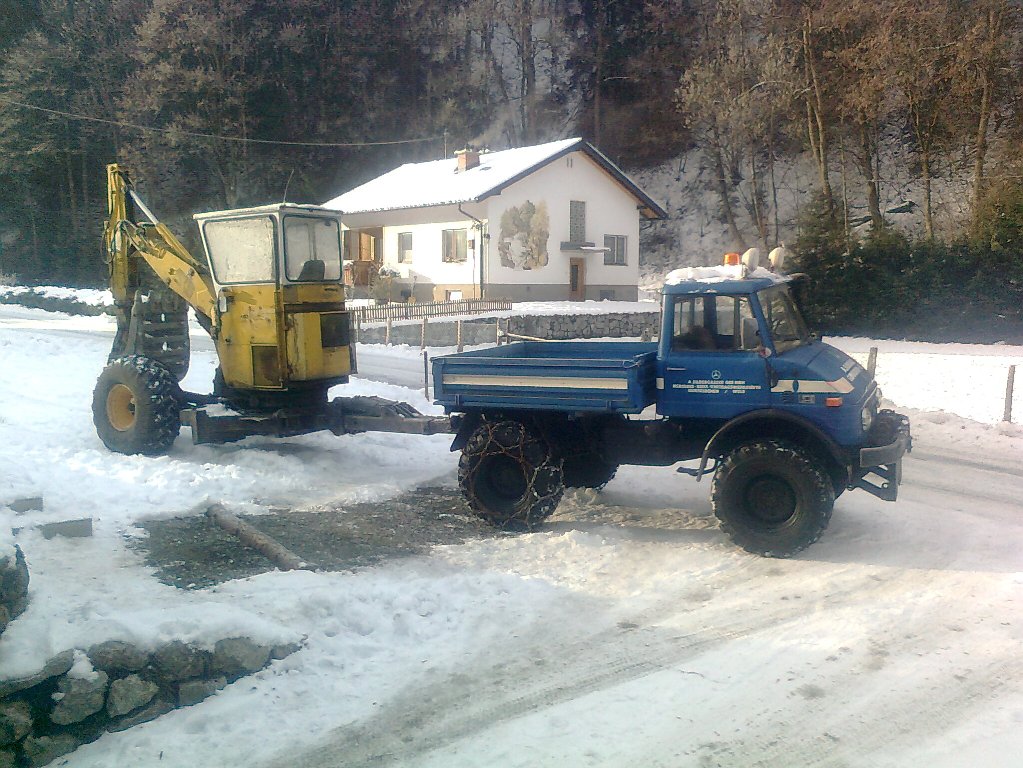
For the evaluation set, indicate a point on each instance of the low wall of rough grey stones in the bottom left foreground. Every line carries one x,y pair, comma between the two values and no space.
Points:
81,695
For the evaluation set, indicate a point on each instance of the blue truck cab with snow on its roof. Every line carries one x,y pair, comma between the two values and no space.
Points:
734,345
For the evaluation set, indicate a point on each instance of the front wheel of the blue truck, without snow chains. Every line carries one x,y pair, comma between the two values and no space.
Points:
773,499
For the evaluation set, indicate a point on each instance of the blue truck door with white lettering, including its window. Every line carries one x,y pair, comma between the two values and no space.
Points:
711,368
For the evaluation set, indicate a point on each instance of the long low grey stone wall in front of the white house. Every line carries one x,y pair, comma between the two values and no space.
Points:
484,331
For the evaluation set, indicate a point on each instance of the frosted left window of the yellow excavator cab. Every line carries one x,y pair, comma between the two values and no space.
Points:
242,251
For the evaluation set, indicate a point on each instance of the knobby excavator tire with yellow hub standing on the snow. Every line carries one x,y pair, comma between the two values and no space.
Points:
136,406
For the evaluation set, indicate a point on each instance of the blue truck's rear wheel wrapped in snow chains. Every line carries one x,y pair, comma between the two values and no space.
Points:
509,476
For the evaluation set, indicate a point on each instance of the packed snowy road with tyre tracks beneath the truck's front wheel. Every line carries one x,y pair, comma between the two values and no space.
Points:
894,642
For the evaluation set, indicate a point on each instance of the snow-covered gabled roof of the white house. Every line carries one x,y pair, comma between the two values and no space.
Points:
439,184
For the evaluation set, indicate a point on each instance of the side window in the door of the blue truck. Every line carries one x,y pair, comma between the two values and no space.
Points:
715,323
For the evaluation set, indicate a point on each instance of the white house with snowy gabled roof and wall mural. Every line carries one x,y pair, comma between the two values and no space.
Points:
557,221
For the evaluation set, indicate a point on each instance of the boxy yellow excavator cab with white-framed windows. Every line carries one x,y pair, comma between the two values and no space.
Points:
280,317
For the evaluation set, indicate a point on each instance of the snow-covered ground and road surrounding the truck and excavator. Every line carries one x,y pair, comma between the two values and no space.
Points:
630,631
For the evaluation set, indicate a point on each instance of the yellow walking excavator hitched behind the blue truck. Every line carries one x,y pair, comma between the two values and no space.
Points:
270,294
